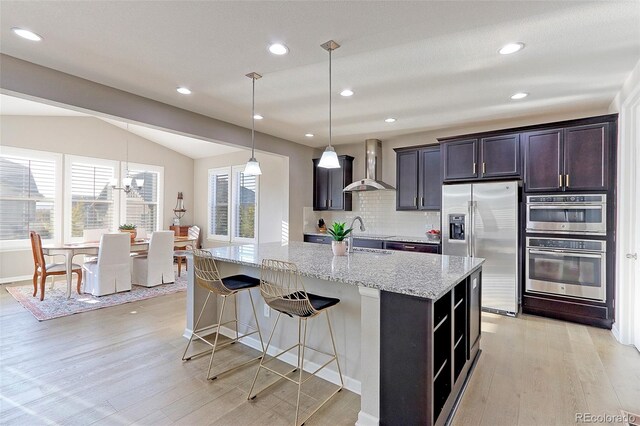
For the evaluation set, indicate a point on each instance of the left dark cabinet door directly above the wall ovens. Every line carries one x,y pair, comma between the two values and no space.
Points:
543,161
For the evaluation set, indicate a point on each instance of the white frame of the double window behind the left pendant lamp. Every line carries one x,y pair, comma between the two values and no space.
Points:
231,209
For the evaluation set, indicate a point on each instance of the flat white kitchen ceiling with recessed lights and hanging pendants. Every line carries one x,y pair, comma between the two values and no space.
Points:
430,64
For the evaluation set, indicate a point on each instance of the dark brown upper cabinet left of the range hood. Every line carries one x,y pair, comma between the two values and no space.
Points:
329,183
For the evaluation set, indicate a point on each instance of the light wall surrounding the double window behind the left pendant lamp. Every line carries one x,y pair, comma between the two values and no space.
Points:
273,202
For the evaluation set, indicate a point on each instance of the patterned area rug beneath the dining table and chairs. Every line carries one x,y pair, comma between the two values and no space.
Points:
56,304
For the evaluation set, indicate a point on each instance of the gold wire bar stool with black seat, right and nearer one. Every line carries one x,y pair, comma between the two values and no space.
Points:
282,288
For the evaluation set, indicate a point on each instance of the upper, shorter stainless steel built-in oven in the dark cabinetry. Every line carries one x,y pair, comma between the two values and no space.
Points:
567,214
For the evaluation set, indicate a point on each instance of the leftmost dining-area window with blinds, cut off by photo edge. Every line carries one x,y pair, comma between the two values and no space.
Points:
29,195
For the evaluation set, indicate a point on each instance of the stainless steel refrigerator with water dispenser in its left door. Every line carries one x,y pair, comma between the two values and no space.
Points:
481,220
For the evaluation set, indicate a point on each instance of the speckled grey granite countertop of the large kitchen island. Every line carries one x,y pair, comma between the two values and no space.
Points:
416,274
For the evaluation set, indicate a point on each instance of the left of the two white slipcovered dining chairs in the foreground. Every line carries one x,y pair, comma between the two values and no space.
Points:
111,272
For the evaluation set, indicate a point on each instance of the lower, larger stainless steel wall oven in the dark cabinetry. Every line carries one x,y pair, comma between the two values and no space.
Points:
575,268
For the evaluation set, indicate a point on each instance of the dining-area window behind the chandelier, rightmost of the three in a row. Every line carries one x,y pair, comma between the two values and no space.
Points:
142,207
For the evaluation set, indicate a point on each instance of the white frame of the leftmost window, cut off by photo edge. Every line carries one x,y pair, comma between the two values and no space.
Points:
28,154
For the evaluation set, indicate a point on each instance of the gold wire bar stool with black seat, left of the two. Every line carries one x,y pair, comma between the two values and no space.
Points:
208,277
